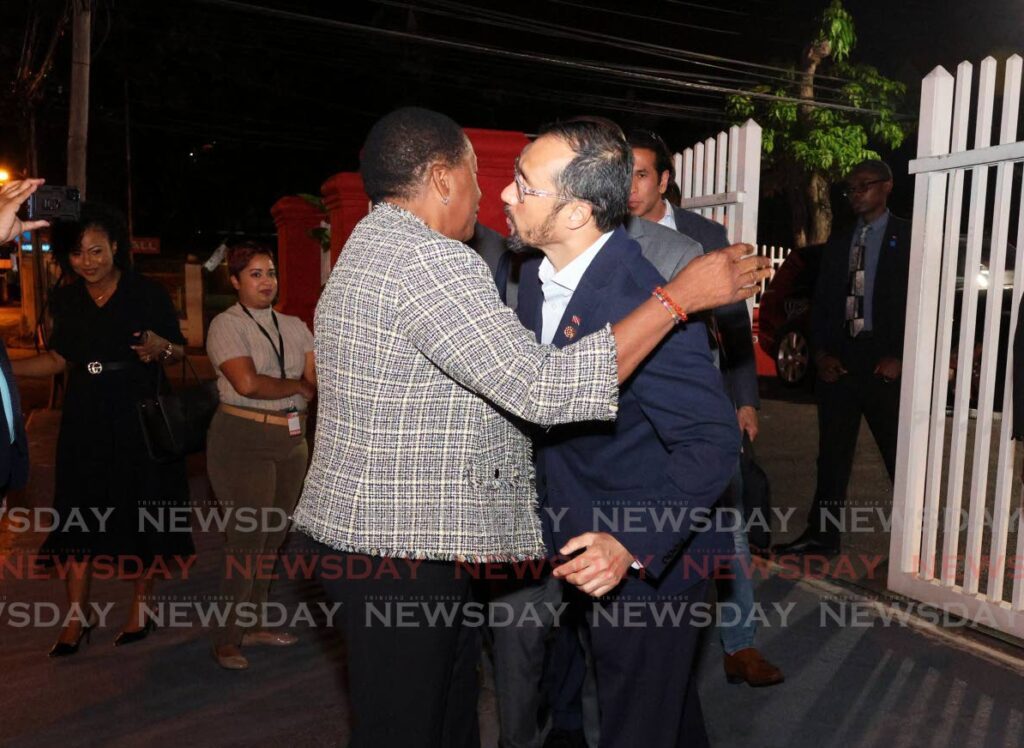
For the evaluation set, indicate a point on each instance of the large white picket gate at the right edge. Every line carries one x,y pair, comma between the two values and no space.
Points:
979,575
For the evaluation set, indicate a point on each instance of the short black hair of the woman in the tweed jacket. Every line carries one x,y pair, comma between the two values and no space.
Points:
401,147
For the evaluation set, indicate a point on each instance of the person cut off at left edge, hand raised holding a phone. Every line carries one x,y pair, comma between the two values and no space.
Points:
14,443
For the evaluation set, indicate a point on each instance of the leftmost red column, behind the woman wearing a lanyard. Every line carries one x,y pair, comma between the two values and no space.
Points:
298,257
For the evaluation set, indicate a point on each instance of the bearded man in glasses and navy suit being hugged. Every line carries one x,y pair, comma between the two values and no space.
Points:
630,502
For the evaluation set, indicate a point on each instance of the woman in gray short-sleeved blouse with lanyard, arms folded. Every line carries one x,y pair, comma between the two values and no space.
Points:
257,449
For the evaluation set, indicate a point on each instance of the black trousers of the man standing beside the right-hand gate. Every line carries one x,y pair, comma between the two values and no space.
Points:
841,406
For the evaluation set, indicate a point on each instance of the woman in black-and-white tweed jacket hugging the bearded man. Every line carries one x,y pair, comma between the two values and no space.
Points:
421,459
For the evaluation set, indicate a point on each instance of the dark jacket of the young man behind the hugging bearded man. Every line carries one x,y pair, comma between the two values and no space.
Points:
739,364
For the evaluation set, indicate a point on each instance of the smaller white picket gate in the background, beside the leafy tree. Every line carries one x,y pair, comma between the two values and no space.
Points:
720,179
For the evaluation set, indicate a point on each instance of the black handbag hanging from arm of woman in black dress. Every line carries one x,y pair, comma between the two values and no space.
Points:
175,425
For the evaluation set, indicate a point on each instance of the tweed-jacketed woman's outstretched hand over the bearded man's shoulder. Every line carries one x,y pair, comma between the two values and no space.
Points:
719,278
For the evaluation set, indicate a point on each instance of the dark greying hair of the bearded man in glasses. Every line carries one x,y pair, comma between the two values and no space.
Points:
602,172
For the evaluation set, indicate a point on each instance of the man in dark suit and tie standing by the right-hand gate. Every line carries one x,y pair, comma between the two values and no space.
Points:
859,321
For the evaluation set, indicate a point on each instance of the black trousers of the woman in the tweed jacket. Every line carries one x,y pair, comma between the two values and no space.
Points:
412,663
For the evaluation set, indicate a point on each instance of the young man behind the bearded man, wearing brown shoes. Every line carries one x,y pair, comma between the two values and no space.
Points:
735,350
